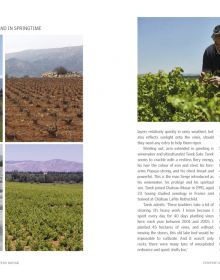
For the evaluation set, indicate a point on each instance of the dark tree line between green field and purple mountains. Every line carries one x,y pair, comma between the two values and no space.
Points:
41,177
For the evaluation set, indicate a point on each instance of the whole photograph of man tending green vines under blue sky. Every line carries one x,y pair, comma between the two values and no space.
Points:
178,69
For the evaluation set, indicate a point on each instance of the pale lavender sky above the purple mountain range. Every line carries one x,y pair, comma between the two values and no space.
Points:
73,152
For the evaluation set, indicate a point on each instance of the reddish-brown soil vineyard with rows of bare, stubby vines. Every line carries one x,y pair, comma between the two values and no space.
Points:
44,109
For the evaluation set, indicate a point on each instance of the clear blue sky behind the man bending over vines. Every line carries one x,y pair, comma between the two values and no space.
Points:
165,43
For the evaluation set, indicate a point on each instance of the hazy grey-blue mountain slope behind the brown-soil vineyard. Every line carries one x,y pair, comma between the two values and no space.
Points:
35,62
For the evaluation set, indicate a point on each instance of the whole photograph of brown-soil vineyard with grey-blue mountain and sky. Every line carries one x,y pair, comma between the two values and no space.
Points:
43,88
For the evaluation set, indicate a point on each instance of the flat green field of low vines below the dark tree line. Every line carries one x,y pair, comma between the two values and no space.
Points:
44,217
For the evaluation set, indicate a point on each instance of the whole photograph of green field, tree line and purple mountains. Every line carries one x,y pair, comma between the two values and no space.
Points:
44,197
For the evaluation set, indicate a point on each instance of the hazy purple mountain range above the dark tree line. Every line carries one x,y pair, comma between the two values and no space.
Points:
54,165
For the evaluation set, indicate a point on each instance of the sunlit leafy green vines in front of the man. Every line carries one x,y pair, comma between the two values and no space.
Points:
172,97
